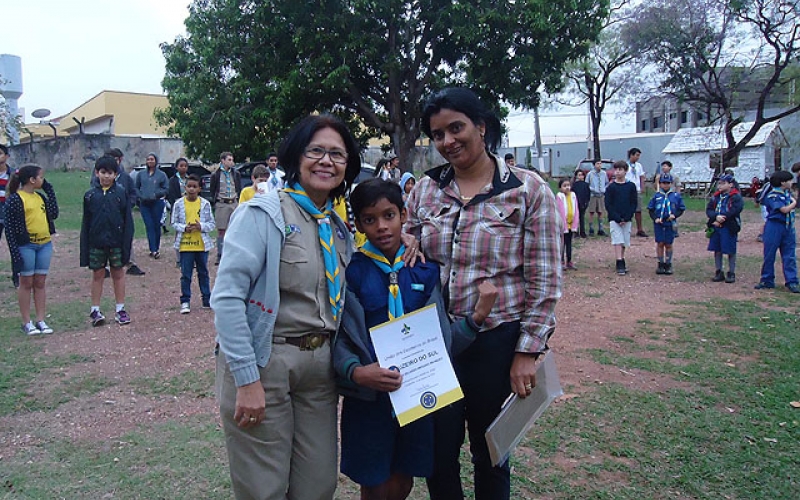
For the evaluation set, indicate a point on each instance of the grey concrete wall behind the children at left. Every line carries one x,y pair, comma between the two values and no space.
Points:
81,151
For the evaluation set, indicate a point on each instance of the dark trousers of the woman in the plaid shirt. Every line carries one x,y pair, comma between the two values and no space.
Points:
483,371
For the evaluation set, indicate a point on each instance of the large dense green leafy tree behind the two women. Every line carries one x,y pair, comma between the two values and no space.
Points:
246,71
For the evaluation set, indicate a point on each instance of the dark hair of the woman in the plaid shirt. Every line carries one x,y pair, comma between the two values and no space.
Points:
467,102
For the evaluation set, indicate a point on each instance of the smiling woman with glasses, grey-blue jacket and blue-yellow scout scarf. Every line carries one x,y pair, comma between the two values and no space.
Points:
277,300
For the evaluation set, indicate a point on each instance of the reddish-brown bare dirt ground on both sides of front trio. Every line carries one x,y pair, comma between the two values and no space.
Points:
597,310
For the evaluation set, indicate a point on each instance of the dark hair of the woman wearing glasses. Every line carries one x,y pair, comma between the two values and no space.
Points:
293,146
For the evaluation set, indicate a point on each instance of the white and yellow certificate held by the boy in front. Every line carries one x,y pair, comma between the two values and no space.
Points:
414,346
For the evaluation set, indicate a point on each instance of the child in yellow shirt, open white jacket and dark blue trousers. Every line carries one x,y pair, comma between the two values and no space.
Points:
193,220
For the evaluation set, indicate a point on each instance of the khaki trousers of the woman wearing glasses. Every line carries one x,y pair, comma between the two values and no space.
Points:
292,454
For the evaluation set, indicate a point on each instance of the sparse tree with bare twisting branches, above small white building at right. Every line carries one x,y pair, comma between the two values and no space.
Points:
726,58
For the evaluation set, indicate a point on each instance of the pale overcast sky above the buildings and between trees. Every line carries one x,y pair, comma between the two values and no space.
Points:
73,50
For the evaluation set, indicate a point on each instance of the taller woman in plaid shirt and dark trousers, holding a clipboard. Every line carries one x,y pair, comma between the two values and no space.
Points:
482,220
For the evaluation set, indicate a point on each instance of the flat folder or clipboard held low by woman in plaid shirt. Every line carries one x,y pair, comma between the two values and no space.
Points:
518,415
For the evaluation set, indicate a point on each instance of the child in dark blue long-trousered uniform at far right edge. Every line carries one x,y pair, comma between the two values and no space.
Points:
779,233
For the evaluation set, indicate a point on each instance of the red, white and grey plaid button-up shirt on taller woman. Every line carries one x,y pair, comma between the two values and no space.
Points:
508,234
